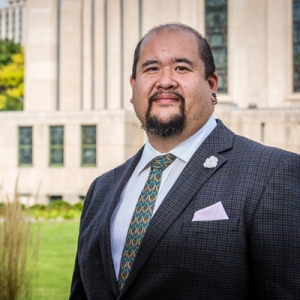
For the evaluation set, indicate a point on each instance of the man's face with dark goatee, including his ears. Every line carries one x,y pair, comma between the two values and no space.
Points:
170,93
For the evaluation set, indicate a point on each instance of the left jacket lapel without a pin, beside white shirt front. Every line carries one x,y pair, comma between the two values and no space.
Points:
121,177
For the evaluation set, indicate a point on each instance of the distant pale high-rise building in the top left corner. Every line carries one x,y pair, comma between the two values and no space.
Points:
13,21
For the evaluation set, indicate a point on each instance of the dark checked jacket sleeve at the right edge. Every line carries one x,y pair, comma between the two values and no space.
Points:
275,235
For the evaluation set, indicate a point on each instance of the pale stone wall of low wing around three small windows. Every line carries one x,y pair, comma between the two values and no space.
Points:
118,138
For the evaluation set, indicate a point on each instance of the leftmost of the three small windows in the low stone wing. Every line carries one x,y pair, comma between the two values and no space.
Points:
25,146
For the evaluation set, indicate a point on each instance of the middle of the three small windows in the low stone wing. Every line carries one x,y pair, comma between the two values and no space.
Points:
56,145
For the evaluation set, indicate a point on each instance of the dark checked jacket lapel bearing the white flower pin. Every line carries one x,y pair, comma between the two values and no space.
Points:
187,185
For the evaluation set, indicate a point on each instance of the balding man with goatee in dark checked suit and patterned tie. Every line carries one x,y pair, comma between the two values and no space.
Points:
198,212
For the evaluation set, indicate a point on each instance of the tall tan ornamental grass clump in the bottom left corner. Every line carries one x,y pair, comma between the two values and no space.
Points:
15,246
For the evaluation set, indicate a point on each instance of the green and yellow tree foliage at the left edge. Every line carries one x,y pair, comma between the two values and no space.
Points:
11,75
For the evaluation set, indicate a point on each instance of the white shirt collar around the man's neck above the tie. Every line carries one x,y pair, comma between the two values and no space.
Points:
183,151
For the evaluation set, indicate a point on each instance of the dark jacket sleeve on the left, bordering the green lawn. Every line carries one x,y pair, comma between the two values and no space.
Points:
77,288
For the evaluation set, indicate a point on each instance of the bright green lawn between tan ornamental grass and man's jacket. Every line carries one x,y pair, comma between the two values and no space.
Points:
56,257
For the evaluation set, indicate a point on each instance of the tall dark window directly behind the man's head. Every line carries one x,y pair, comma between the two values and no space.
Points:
216,15
